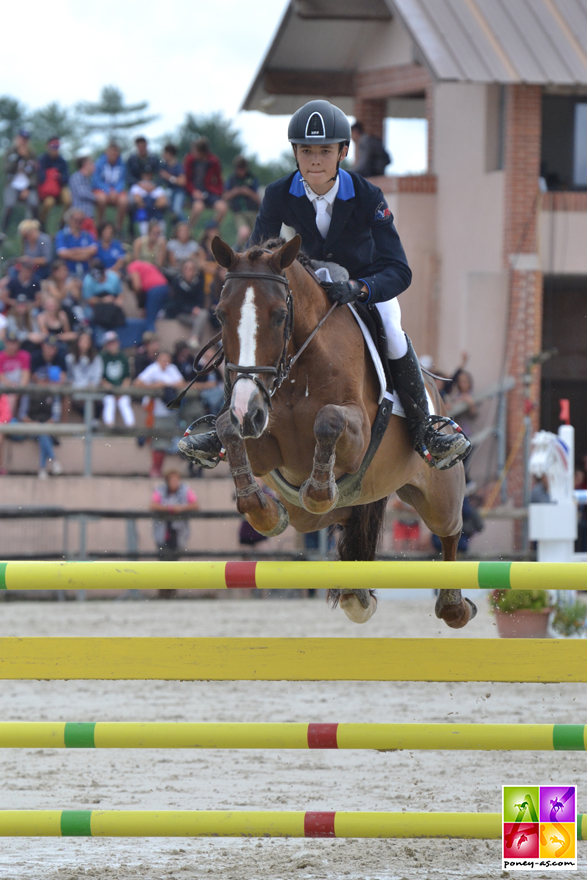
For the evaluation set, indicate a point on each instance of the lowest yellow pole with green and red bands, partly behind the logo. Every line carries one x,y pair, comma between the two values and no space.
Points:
219,823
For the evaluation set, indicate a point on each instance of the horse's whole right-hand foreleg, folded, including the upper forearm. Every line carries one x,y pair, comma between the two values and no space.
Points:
337,430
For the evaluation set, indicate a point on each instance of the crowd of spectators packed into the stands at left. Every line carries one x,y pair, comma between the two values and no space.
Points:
80,307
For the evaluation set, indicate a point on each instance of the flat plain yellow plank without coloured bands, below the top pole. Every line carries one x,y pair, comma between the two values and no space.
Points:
283,659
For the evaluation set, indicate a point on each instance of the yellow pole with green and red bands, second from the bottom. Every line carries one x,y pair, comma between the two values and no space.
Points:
275,735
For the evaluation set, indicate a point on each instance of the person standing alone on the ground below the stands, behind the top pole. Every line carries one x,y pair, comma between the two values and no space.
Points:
171,535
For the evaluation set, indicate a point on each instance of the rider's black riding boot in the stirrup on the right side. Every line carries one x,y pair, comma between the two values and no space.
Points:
438,450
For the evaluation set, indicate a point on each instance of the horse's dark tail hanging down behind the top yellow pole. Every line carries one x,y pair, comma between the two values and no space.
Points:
360,541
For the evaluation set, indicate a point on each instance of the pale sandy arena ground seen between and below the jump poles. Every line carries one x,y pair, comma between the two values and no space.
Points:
280,780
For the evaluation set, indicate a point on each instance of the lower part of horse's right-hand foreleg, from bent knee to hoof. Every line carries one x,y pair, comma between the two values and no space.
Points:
319,493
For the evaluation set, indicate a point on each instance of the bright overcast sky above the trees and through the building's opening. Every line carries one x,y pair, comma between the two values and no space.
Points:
180,55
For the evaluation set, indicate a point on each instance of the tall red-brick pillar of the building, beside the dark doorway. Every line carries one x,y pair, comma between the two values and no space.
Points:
522,168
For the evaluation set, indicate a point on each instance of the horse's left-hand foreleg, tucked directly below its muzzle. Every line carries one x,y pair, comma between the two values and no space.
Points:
267,515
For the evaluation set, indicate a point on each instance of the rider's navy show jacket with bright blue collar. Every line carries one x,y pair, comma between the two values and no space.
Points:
362,237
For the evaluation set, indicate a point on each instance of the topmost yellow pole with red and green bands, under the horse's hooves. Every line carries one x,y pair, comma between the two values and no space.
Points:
292,575
